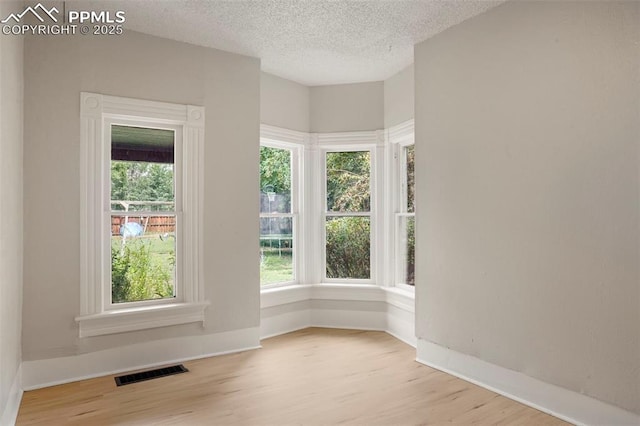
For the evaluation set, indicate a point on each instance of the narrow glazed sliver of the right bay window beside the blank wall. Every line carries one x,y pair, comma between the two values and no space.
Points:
405,218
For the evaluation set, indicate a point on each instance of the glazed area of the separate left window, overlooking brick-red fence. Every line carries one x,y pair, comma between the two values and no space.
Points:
144,221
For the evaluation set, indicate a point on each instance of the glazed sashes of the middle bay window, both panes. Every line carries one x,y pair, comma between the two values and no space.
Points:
347,215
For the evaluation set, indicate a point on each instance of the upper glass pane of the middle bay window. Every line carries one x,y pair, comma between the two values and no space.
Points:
348,181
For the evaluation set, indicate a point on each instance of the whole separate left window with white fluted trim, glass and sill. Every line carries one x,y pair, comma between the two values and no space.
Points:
141,214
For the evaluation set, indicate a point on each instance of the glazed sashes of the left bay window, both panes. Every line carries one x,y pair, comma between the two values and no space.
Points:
277,217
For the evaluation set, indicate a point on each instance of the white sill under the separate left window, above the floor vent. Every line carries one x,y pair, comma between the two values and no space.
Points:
123,320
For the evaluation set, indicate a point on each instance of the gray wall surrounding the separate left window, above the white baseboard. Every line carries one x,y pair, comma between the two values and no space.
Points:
57,69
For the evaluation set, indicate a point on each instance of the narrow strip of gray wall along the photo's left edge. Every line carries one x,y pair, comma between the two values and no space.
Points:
11,102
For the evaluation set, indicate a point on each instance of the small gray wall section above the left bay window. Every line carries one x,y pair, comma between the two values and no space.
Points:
284,103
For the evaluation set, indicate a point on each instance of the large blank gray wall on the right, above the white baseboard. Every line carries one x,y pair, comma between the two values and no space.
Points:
527,130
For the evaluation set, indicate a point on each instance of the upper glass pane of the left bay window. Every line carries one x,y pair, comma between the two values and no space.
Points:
275,180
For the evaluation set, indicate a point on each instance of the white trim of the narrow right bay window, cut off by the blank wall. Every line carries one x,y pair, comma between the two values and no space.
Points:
399,137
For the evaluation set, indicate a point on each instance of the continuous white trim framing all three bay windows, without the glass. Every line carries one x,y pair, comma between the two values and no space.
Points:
384,145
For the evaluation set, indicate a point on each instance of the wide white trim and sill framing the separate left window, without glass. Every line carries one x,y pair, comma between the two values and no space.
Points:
95,318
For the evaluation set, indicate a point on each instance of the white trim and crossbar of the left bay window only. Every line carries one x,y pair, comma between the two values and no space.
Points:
274,137
